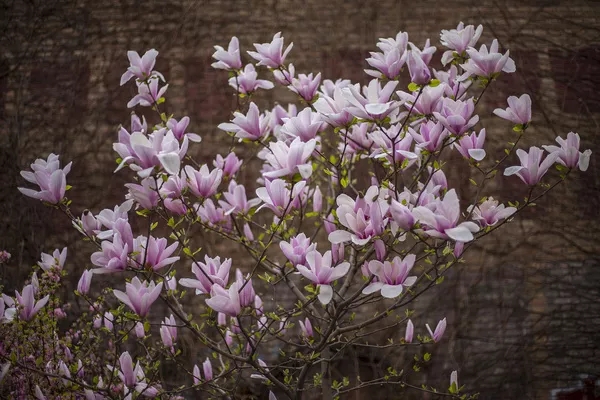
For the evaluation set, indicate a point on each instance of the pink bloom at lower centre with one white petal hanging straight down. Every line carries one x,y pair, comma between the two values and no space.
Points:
320,272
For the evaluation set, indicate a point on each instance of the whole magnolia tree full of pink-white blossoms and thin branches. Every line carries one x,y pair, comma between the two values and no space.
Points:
353,217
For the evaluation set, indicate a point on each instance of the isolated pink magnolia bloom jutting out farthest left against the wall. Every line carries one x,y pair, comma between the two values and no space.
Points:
51,180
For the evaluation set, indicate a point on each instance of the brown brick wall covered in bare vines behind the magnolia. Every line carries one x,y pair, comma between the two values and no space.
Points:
523,312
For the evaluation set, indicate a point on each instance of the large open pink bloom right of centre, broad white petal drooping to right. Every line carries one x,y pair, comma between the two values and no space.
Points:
441,220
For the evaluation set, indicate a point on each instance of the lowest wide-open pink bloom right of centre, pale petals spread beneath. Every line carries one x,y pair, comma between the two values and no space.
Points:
392,276
